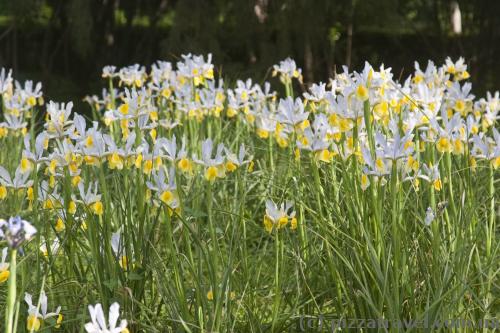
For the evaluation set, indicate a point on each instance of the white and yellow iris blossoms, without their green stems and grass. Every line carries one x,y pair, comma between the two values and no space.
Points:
386,129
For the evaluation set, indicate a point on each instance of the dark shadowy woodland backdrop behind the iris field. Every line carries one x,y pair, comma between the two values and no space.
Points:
65,43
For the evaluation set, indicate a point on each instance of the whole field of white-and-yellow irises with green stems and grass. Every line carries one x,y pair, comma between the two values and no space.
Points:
182,203
